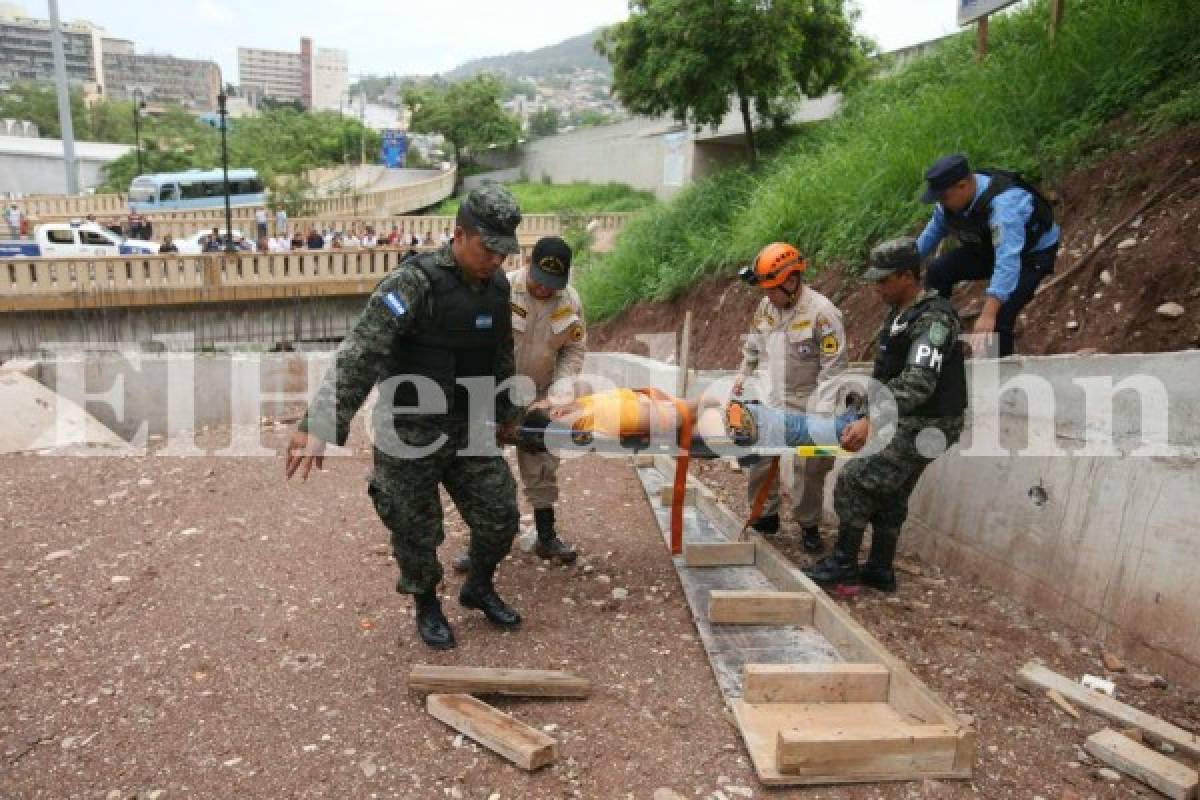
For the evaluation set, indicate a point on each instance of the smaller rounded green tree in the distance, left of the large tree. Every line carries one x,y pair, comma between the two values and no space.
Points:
469,115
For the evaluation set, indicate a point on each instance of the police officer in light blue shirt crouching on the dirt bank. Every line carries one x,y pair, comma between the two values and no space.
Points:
1006,232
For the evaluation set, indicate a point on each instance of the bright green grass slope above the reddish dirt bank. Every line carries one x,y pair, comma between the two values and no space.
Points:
838,188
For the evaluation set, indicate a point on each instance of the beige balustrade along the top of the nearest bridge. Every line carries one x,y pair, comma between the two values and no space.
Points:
145,281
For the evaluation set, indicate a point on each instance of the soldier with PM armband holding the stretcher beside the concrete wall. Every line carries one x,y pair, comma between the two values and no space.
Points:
921,363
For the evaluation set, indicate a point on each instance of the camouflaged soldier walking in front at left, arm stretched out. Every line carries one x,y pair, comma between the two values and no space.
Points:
435,321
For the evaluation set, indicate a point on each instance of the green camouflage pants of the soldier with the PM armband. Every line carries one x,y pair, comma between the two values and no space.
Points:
875,490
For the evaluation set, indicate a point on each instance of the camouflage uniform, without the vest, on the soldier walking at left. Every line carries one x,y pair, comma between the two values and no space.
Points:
405,491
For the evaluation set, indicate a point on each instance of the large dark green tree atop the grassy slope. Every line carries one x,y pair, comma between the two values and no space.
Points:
691,58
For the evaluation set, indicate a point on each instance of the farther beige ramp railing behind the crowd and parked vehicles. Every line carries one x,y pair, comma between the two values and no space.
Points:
400,200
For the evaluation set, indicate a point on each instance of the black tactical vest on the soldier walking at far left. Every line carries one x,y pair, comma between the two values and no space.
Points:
461,339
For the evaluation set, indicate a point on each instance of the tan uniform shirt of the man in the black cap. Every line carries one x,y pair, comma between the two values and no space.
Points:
548,335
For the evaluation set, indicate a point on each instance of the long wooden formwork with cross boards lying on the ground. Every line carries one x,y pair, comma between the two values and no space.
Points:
818,700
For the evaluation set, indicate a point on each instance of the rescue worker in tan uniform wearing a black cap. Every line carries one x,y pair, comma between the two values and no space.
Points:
550,342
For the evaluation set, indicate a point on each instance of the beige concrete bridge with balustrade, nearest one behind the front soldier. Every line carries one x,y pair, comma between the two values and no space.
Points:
214,302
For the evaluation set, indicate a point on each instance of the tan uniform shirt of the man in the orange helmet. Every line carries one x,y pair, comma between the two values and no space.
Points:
803,347
